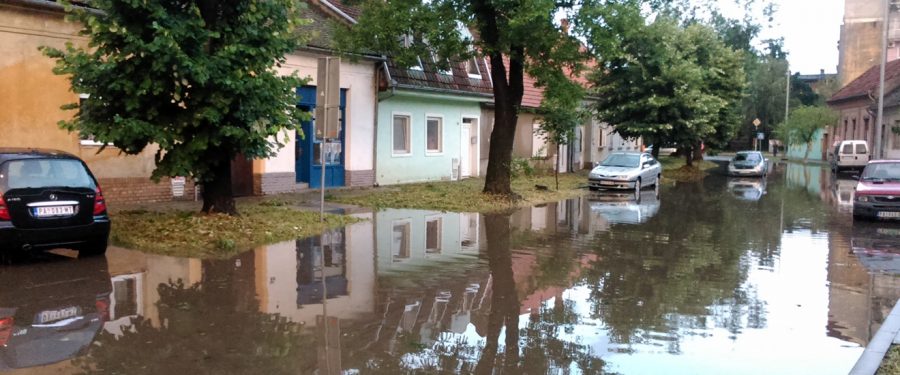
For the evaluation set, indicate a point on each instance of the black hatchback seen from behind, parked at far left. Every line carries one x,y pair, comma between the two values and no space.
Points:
49,199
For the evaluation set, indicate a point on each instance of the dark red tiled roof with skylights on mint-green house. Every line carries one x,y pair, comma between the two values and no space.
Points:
430,79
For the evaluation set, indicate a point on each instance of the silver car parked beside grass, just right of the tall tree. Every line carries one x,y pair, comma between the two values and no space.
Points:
625,170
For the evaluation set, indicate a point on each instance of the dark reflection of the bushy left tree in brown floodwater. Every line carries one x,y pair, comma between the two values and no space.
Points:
207,328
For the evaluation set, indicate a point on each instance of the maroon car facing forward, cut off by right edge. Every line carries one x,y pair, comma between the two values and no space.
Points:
877,194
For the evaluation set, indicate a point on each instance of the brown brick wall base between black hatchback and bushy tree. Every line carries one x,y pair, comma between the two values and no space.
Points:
142,190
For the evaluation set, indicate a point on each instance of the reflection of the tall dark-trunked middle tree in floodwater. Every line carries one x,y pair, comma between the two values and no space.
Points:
539,346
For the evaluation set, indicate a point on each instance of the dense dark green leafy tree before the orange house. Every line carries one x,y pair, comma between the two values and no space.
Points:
195,77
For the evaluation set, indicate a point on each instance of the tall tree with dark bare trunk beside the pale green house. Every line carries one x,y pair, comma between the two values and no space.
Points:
517,37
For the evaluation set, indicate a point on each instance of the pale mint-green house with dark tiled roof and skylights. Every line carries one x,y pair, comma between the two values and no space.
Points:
430,121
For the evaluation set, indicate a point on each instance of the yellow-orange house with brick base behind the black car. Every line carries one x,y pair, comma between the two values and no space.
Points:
32,95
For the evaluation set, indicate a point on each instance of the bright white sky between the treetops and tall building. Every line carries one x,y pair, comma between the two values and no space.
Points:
810,28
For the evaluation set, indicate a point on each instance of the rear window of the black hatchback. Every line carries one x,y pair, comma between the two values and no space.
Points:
41,173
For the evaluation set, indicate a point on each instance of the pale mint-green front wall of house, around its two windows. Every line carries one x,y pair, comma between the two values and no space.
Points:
419,165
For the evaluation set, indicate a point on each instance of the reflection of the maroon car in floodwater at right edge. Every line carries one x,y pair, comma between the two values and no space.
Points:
877,246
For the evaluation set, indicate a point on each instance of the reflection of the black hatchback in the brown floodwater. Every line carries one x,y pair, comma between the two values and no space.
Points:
51,310
